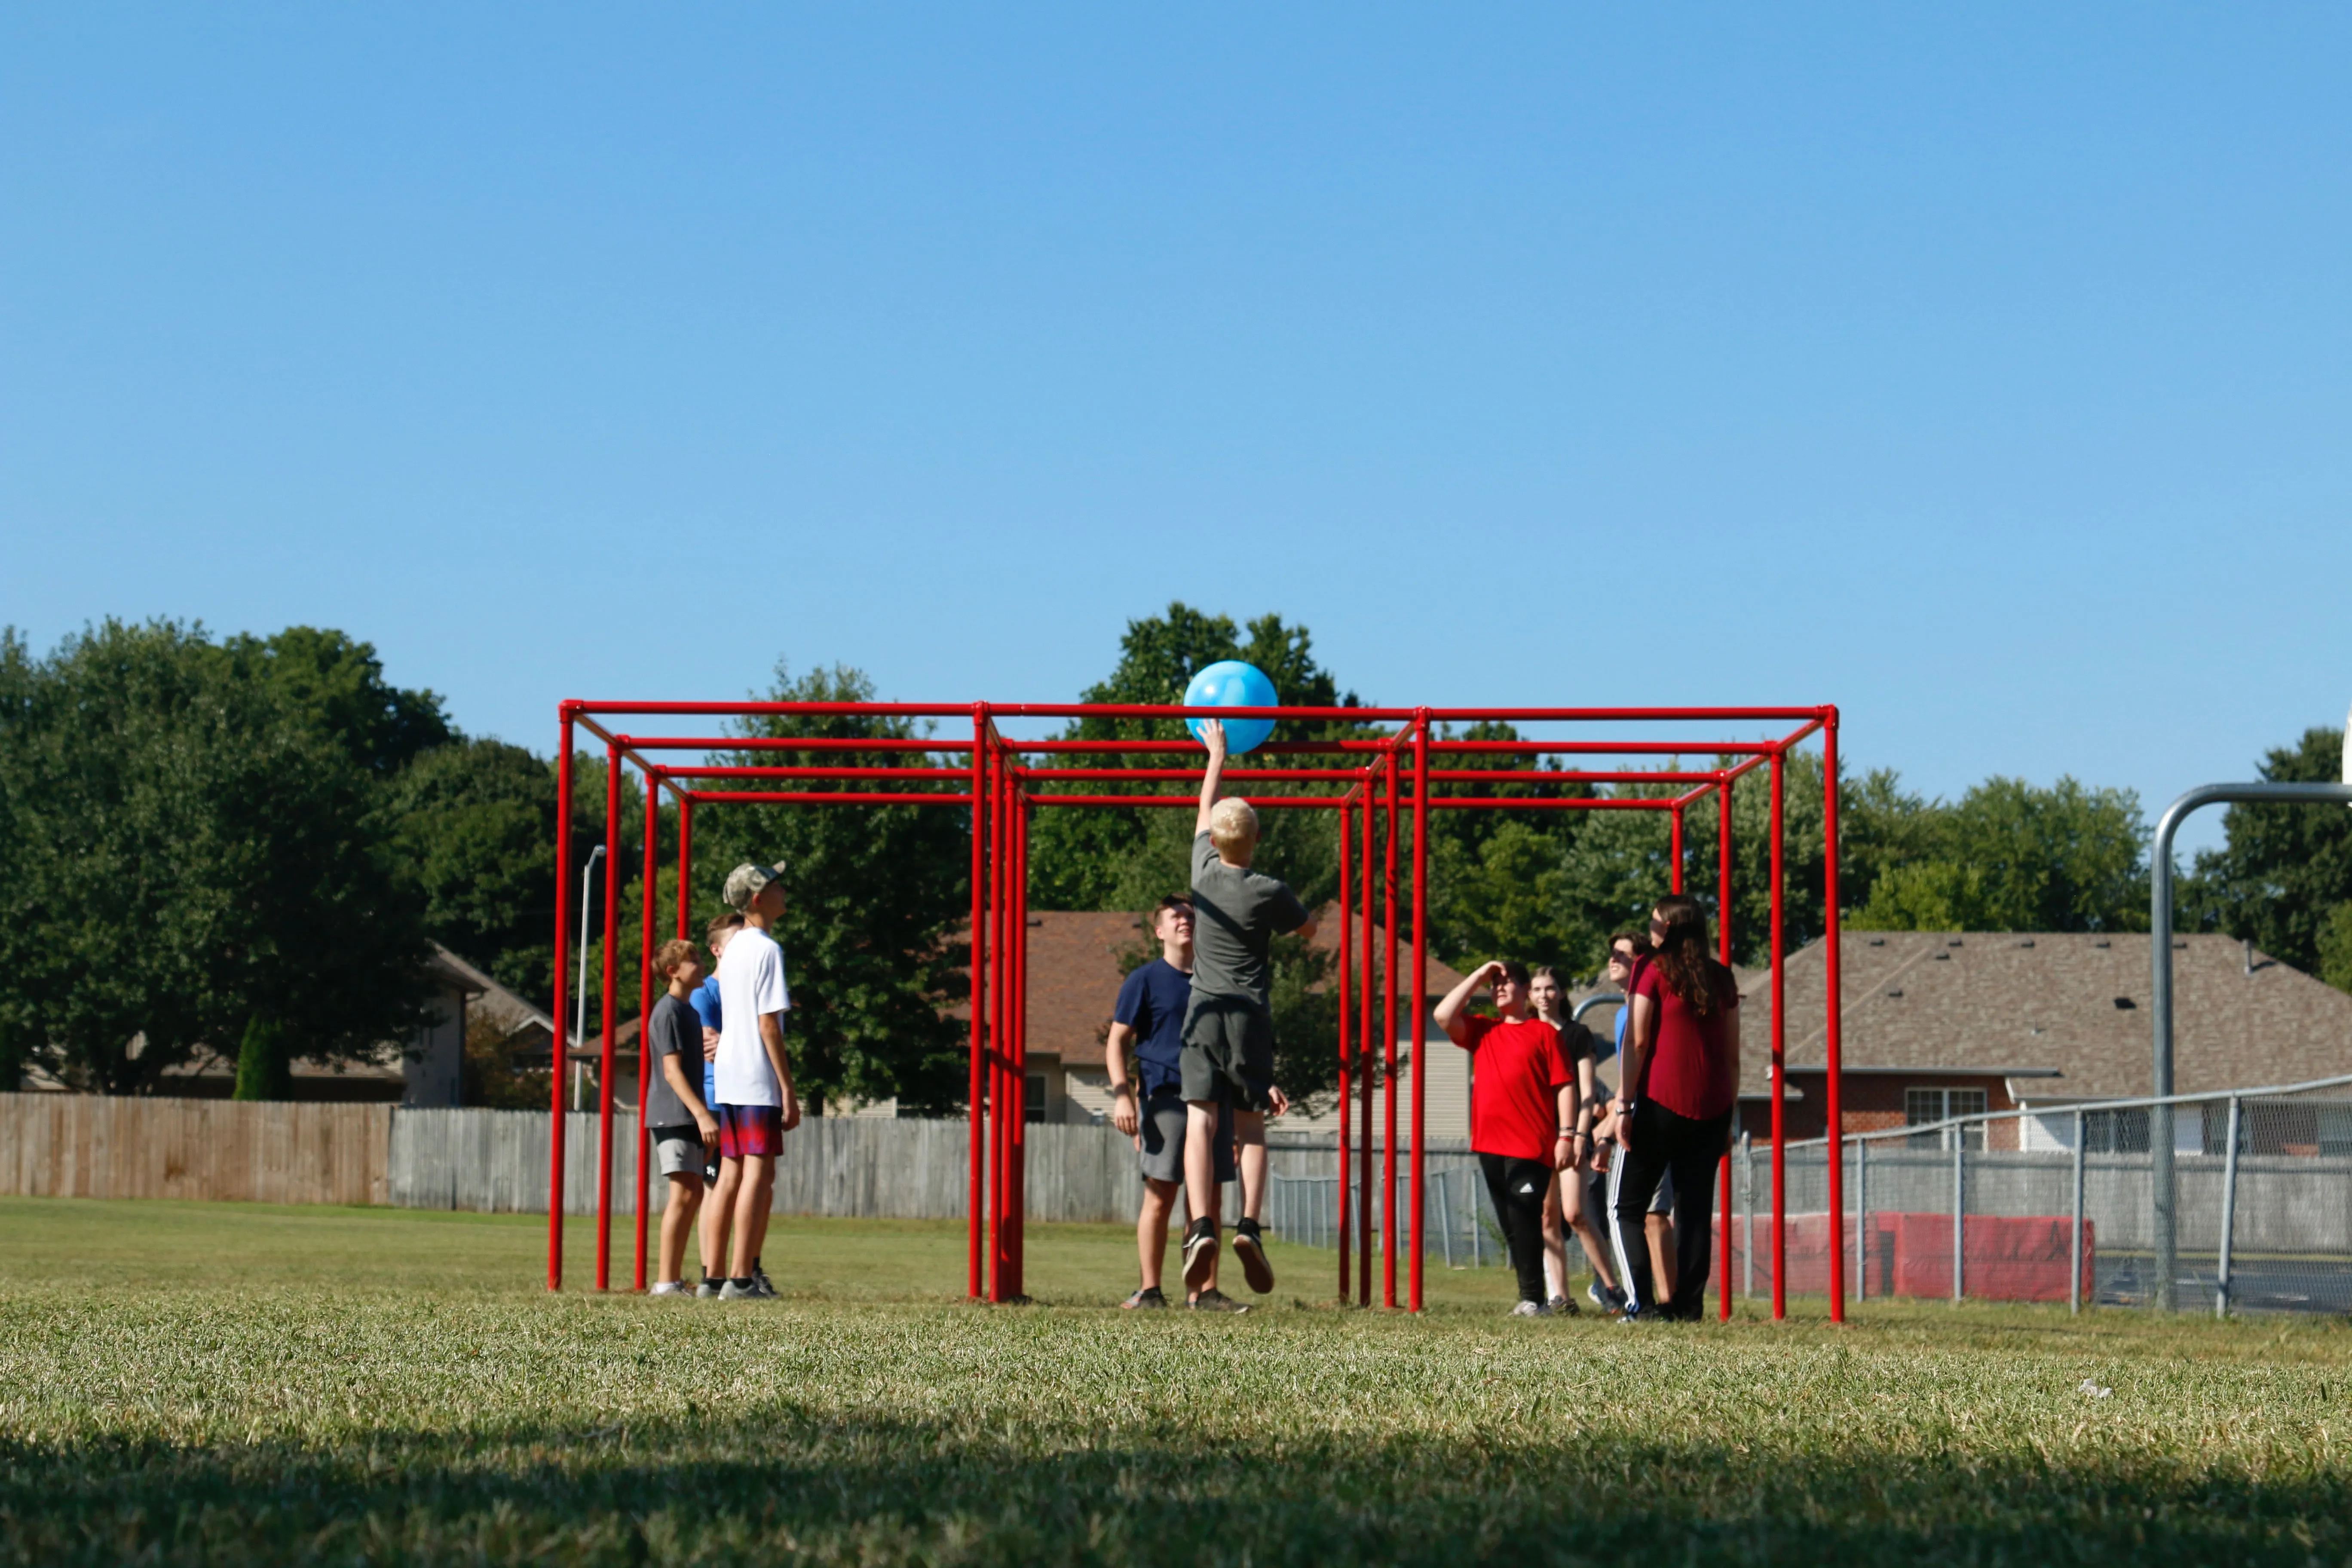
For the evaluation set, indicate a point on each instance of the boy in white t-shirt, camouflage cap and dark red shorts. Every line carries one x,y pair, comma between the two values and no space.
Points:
751,1071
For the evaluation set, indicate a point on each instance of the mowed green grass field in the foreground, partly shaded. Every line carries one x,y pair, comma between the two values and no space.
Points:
232,1383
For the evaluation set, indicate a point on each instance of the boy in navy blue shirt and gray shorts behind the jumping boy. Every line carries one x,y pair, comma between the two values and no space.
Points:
1149,1017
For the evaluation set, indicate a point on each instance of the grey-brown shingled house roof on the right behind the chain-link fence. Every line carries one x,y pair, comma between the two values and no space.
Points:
2045,1010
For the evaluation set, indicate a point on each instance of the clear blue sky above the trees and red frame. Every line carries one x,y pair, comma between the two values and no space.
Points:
1986,370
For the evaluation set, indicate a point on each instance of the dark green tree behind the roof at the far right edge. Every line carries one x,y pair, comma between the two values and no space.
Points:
2285,873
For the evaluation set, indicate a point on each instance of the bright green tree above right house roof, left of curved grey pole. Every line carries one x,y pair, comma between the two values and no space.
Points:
2012,857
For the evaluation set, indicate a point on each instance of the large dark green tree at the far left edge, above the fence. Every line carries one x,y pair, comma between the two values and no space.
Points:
182,850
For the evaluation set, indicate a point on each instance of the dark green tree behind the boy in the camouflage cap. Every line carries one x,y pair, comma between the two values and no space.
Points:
876,904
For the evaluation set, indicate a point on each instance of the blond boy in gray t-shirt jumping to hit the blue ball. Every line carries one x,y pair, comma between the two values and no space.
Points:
1229,1031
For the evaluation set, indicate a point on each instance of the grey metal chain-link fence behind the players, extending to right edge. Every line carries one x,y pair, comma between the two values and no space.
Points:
2026,1205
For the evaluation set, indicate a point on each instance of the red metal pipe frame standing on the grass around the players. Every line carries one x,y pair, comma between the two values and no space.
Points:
1003,793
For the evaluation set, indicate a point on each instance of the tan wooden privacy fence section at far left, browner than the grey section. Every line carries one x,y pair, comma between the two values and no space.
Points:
258,1153
